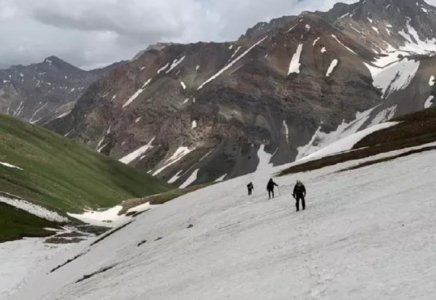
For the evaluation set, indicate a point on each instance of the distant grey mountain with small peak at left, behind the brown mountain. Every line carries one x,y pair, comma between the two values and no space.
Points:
40,92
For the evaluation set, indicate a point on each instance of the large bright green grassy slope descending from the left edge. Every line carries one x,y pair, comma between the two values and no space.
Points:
62,174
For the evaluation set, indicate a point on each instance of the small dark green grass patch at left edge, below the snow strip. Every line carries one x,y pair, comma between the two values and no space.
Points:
16,224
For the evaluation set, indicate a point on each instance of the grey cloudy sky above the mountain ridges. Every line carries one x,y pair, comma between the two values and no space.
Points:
93,33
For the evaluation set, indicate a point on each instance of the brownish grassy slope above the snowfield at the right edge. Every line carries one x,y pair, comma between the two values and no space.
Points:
413,130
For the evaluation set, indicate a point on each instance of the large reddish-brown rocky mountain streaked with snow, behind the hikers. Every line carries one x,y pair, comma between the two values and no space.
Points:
204,112
